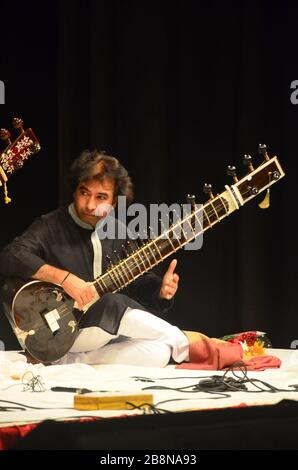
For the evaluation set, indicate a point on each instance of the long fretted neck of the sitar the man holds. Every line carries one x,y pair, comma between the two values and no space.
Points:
189,227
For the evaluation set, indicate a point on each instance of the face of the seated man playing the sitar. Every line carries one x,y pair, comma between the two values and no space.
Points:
91,196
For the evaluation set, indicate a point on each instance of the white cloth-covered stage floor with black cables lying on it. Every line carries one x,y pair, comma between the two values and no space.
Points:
177,393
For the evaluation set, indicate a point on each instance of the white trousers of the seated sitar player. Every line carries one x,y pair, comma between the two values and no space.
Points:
142,339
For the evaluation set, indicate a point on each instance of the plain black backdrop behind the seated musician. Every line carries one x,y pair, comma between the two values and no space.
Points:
177,91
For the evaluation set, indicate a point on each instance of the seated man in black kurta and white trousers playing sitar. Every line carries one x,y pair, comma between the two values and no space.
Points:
63,248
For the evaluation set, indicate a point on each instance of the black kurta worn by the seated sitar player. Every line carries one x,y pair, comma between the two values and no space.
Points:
57,240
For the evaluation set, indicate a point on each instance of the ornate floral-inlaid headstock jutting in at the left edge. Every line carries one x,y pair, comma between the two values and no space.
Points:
17,151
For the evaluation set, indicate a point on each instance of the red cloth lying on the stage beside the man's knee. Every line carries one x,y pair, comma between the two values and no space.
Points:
212,354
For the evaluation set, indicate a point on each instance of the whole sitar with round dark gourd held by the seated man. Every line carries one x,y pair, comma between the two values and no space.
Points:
44,318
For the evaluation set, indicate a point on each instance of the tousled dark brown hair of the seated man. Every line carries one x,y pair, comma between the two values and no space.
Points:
97,165
